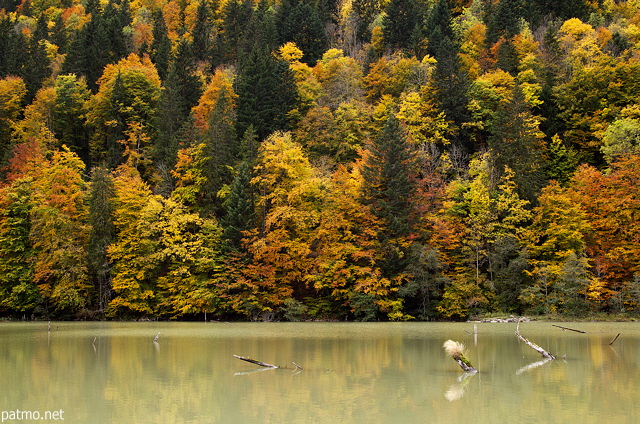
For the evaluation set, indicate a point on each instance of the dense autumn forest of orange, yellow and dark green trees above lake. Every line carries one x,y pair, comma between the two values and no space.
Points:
319,159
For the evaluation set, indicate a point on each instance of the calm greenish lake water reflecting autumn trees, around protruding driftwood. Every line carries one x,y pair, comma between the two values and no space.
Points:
351,373
